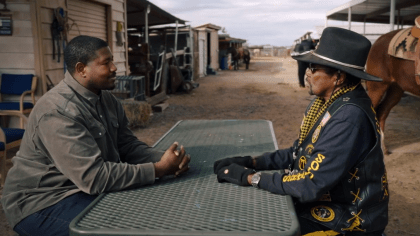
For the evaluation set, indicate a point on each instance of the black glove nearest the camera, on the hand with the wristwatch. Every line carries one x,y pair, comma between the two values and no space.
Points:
235,174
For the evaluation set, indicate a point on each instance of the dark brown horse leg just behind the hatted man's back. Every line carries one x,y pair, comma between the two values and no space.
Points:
392,97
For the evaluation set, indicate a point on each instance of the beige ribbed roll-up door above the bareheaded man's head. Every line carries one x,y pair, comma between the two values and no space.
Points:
87,18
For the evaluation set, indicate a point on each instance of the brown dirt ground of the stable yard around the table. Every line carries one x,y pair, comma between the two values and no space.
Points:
268,90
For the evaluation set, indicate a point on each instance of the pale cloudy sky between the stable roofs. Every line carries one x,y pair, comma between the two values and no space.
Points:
274,22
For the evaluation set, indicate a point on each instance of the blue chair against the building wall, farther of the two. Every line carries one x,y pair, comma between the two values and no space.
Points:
16,84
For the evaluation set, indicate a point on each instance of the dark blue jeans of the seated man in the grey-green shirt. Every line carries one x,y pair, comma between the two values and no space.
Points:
54,220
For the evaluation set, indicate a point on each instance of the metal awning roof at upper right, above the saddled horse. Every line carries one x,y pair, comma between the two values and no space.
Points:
377,11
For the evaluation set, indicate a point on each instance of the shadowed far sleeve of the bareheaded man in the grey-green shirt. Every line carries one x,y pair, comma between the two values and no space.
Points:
131,149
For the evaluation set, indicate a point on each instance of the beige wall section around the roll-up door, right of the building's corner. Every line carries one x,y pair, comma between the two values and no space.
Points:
96,18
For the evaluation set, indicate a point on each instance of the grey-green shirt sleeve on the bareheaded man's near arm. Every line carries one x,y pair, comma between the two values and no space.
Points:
72,149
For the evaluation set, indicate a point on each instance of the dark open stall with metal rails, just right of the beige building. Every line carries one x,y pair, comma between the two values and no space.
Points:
160,54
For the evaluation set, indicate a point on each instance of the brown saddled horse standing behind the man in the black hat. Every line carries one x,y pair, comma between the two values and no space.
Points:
397,74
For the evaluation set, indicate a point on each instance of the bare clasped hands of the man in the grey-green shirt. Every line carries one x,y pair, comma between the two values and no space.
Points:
173,162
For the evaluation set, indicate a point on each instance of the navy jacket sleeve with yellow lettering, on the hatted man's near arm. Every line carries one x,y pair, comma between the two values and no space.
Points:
346,139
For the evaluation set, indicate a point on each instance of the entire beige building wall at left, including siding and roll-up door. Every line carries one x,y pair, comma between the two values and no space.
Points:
29,49
